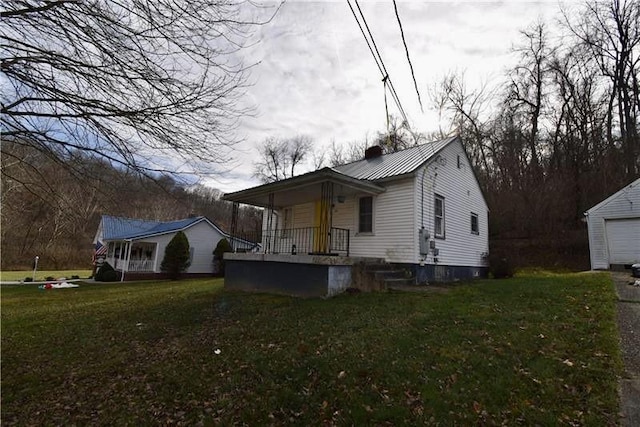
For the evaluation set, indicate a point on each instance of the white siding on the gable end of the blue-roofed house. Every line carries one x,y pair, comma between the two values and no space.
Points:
202,238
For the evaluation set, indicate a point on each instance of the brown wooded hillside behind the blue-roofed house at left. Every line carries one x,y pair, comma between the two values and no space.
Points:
52,207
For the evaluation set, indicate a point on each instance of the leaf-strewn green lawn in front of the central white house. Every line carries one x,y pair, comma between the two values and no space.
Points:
529,350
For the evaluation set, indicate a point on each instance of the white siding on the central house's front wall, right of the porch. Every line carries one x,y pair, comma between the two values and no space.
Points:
393,218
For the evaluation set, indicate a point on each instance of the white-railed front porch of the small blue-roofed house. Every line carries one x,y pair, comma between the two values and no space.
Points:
131,256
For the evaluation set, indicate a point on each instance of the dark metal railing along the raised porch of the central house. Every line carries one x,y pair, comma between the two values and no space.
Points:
308,240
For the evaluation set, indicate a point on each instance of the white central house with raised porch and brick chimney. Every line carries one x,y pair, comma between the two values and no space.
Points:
421,209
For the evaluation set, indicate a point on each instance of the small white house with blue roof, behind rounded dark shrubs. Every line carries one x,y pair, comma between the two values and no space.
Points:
136,247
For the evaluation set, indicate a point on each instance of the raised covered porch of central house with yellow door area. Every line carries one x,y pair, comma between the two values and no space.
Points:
302,254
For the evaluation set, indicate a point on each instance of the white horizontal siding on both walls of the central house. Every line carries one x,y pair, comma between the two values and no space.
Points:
398,214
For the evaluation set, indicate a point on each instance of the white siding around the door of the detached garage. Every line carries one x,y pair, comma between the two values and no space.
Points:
623,204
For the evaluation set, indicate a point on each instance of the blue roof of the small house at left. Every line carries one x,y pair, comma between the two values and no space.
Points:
118,228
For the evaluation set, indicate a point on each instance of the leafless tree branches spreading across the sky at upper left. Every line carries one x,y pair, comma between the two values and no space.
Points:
129,82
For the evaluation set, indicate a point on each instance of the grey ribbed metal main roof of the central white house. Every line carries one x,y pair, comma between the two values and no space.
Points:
394,164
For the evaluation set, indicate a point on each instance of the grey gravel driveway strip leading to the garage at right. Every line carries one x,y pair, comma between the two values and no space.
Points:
629,326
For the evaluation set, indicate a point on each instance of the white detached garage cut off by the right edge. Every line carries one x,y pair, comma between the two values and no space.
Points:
614,229
